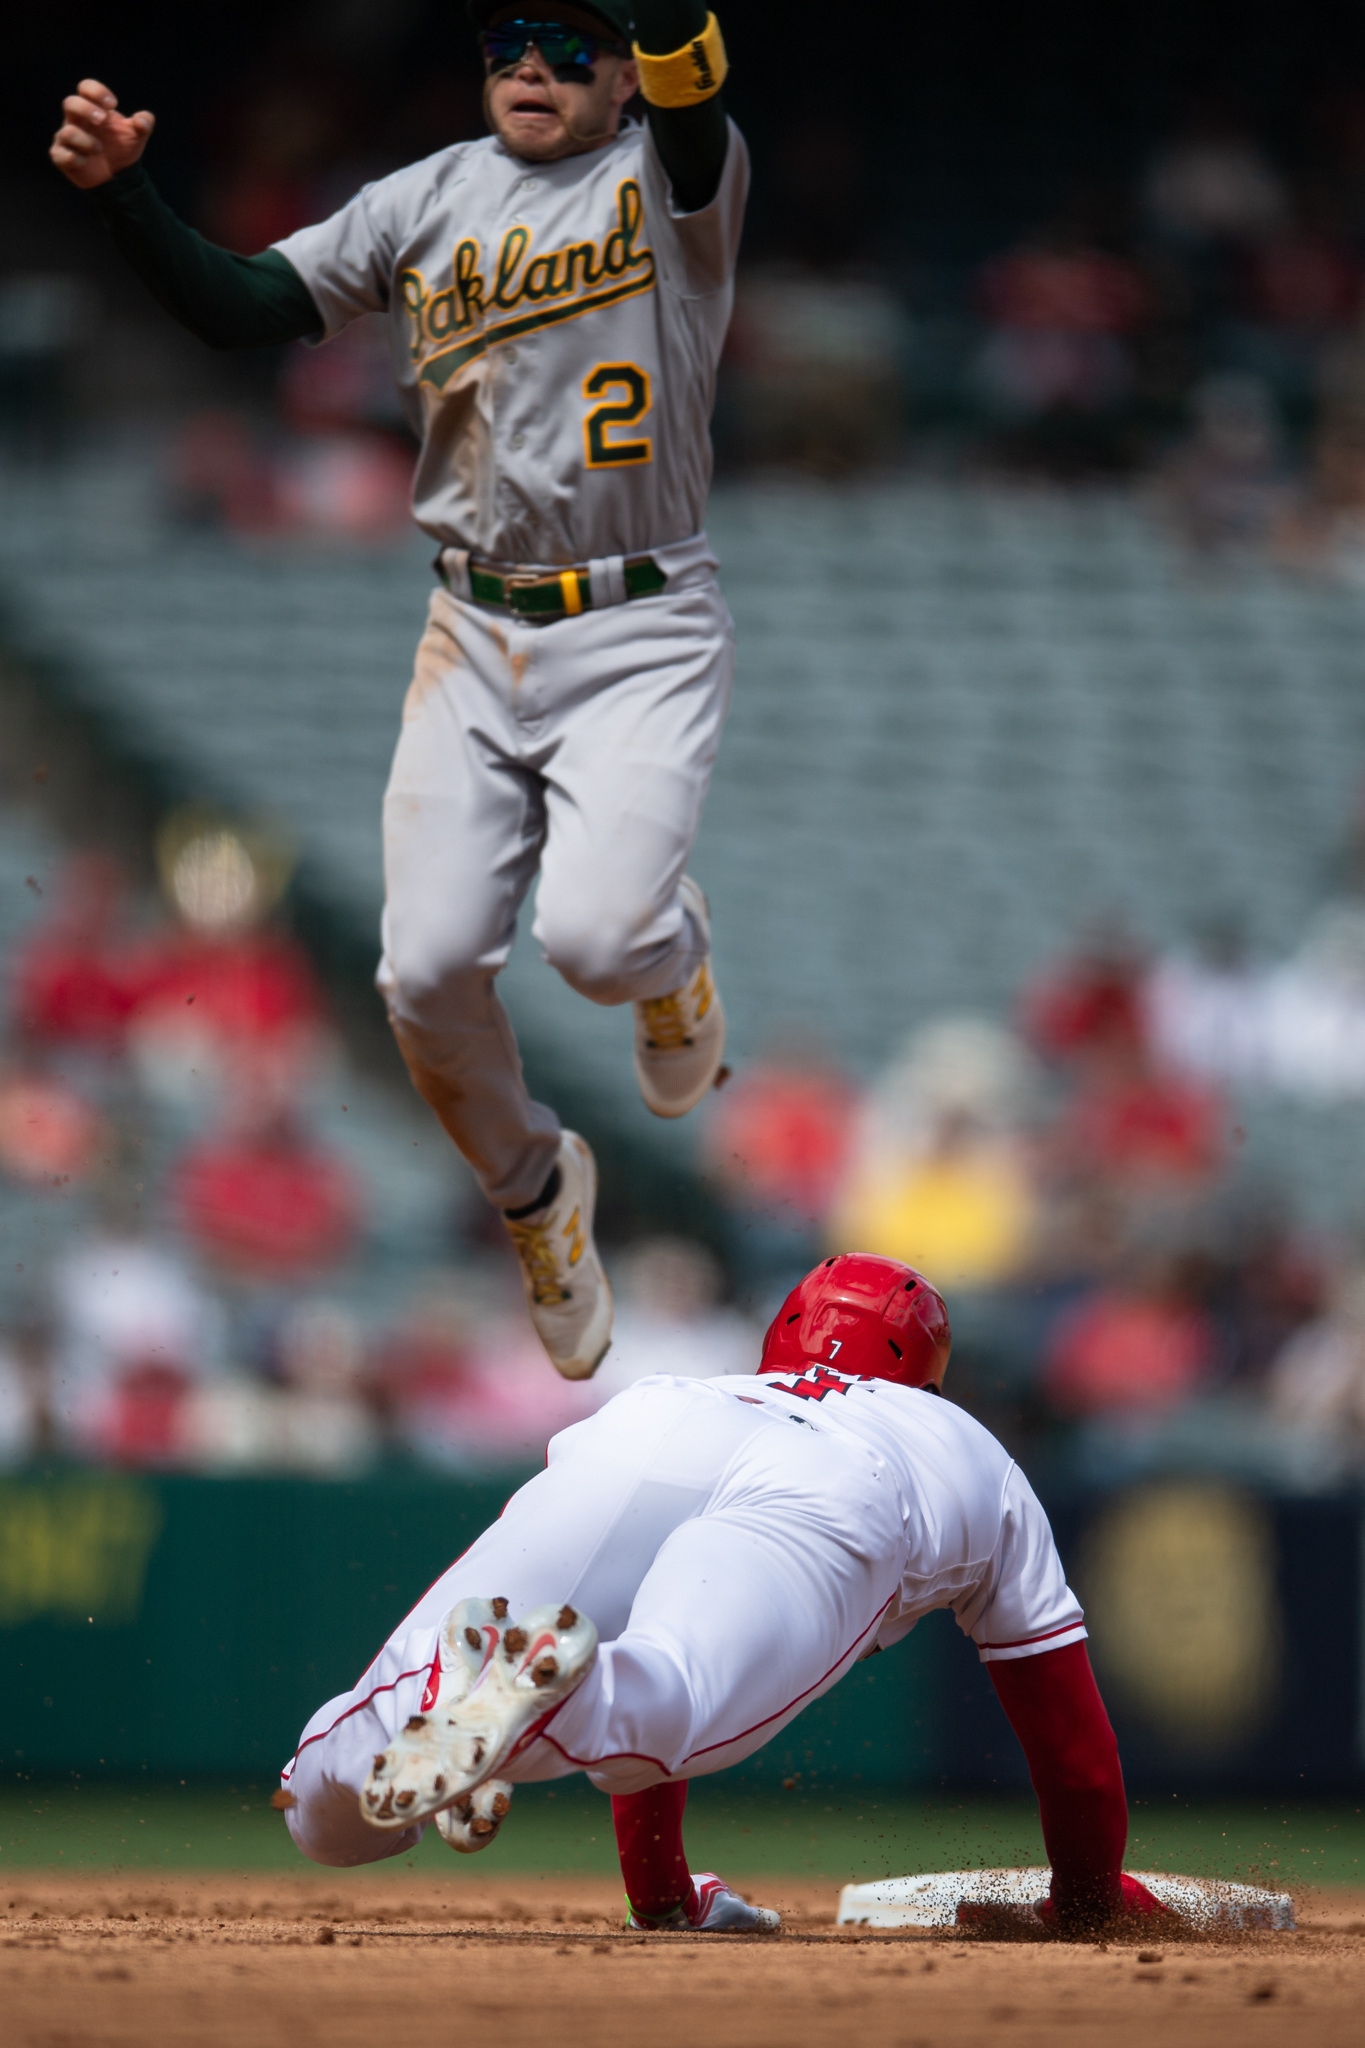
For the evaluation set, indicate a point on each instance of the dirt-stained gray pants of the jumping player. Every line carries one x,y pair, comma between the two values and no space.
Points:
584,751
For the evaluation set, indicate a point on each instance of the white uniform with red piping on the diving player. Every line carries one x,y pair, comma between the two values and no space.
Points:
740,1545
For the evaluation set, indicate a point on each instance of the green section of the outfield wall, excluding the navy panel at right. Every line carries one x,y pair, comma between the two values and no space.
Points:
189,1627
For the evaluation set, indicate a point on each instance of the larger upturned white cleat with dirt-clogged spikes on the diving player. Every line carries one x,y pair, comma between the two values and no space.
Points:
455,1750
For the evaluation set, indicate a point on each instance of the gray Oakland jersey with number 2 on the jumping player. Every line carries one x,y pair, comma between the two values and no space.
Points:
556,337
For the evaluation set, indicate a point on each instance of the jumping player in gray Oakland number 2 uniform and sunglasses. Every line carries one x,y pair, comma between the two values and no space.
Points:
558,298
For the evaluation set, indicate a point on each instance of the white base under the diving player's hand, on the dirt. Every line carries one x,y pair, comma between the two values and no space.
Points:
934,1900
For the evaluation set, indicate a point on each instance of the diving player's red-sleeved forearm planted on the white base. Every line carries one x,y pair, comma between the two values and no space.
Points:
1073,1758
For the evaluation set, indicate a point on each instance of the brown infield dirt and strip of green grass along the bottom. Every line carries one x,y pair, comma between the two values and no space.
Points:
181,1914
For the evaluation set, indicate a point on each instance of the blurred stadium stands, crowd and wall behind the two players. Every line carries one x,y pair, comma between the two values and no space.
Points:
1037,855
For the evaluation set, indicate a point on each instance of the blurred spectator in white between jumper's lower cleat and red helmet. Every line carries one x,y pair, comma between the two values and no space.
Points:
670,1320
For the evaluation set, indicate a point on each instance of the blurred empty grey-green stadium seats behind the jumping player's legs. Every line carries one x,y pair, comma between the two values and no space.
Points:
965,724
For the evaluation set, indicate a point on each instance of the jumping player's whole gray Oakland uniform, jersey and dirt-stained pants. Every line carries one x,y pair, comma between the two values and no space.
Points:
556,339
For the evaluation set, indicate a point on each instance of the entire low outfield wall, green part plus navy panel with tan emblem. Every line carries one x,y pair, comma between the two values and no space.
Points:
189,1627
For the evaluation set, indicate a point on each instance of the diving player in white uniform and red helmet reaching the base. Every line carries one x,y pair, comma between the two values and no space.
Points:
697,1564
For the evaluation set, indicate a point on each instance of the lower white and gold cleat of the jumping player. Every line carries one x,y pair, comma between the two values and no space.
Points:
568,1291
